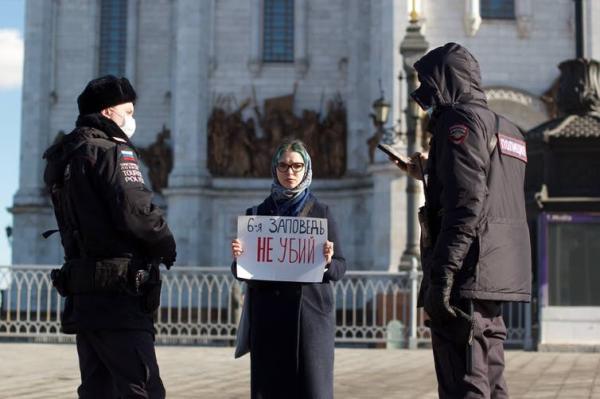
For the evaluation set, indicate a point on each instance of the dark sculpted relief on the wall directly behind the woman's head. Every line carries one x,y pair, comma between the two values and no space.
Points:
239,147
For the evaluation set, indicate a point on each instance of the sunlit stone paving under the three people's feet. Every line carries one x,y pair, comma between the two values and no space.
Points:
50,371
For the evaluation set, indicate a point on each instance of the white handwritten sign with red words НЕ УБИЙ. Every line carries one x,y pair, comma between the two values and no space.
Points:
279,248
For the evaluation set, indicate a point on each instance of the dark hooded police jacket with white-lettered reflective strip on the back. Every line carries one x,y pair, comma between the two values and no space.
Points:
475,183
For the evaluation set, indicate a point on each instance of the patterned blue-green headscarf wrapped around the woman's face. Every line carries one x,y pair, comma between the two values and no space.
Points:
291,201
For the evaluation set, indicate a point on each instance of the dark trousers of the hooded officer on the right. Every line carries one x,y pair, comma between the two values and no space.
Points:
449,342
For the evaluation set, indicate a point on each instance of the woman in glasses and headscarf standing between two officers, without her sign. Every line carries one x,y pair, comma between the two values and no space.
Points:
292,325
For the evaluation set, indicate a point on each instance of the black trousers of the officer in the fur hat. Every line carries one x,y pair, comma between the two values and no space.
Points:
118,364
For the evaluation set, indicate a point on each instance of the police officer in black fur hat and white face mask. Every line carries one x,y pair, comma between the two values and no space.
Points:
114,237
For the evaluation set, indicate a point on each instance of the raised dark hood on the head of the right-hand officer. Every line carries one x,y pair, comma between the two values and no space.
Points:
449,75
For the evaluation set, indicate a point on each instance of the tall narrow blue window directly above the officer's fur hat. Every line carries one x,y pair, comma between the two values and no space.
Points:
113,37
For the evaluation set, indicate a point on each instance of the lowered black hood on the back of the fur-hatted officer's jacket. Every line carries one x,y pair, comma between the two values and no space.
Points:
87,126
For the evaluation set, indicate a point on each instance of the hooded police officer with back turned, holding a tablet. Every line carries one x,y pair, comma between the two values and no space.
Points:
475,239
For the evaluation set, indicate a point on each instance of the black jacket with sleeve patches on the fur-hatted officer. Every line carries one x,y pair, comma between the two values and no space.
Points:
98,169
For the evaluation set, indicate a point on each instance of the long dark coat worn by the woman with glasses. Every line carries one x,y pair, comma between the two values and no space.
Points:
292,327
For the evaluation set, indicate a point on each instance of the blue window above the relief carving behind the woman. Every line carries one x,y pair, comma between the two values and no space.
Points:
278,32
